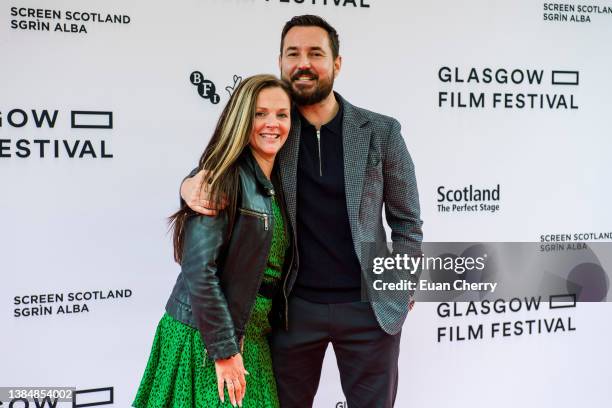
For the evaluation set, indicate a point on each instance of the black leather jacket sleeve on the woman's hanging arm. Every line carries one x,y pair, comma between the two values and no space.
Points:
204,240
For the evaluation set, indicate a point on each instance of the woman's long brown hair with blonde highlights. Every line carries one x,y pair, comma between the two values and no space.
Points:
231,136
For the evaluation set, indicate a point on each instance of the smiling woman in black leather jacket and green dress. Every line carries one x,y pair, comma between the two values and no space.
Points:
231,266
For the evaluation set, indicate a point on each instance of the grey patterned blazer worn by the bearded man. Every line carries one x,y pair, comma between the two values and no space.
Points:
378,170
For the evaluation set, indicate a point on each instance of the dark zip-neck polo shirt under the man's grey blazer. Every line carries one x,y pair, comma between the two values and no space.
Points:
329,270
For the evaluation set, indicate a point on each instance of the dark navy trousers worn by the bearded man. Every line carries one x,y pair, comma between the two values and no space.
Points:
365,354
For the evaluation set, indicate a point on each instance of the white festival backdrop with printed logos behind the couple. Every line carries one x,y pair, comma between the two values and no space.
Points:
87,224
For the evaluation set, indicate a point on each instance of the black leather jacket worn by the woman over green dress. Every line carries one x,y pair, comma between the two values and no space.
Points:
221,274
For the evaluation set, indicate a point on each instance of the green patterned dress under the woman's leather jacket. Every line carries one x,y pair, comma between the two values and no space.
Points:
175,375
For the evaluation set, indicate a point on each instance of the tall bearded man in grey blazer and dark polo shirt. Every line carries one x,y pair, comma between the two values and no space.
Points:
339,166
